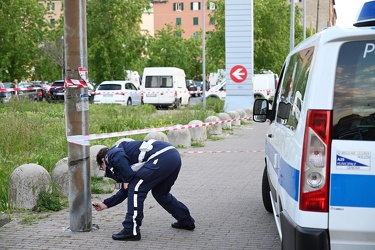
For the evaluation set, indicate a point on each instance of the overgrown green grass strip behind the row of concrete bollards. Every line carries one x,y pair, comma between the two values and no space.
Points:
34,132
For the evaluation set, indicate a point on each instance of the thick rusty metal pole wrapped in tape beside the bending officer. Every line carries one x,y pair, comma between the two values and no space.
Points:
76,113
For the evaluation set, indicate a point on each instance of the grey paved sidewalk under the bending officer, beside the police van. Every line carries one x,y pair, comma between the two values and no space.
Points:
221,189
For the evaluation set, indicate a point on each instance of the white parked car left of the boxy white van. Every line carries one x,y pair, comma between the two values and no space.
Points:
118,92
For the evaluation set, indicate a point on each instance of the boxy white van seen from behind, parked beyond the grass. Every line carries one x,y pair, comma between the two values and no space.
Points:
164,87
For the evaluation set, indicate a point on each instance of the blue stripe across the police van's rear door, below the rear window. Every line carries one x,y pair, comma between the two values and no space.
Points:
352,190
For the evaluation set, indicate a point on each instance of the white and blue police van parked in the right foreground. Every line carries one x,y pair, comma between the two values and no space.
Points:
319,178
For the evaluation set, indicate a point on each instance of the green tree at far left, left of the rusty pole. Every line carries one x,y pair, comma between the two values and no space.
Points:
22,27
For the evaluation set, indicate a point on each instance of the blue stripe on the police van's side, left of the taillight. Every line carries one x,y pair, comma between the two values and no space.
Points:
288,176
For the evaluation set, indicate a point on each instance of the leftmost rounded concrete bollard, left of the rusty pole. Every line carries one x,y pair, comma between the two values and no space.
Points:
26,182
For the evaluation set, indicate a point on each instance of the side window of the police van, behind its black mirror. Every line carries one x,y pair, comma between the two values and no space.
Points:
293,87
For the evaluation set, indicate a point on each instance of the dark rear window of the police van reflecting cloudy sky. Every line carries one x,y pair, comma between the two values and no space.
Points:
354,102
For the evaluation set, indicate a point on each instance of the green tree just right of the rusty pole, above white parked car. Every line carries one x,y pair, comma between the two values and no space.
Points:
114,39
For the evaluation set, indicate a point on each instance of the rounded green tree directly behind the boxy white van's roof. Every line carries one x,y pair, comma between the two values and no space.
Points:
169,49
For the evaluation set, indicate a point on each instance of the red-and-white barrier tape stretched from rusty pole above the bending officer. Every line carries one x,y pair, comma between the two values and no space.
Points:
85,139
